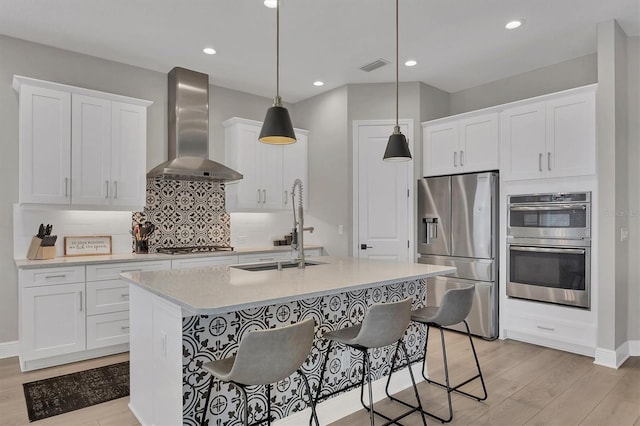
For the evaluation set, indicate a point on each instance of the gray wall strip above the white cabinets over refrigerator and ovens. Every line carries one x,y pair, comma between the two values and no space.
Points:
554,78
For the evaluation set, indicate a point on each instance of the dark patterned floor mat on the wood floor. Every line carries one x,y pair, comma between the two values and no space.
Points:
58,395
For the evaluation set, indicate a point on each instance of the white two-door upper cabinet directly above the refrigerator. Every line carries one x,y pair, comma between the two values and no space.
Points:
460,145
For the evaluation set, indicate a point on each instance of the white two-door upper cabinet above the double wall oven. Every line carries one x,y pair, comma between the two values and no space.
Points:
553,136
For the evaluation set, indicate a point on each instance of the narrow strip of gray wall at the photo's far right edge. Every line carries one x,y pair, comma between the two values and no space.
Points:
633,56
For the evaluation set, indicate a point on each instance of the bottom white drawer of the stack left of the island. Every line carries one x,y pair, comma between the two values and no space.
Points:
107,329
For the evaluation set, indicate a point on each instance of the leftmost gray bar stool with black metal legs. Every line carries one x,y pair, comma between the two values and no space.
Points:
265,357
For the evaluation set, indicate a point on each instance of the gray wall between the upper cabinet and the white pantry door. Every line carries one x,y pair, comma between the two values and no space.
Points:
329,166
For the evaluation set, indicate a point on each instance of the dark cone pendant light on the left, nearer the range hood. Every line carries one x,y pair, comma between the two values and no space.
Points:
277,128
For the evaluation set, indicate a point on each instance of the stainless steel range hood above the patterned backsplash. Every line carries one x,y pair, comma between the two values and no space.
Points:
189,132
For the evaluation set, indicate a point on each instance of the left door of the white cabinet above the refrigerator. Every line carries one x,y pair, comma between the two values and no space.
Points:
440,149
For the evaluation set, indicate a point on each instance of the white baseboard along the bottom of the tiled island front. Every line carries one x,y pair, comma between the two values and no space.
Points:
334,409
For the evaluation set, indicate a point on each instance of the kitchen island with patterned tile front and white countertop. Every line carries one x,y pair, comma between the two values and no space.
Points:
181,319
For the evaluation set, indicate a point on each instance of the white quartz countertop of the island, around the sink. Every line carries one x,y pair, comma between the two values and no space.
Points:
220,289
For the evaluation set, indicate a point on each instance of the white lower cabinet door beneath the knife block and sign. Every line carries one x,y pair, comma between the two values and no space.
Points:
52,320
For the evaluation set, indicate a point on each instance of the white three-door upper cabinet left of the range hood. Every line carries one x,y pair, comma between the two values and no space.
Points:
80,147
